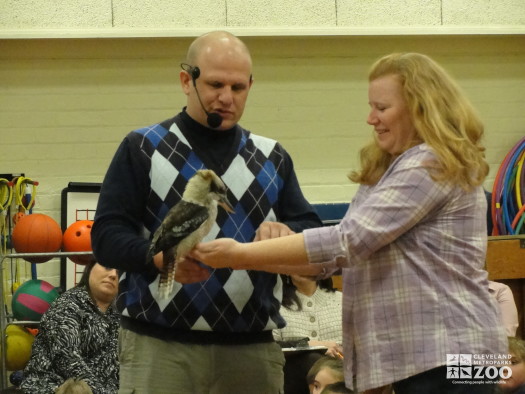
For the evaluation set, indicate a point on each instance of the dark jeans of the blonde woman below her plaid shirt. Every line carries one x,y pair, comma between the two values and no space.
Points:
435,381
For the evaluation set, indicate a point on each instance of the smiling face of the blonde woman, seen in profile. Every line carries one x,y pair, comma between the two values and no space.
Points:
389,115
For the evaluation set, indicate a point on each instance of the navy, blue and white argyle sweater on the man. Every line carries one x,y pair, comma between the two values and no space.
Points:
261,187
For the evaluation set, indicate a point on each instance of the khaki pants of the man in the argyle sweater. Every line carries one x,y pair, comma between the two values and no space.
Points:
153,366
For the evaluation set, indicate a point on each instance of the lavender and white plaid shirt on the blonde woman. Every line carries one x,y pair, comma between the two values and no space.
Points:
414,286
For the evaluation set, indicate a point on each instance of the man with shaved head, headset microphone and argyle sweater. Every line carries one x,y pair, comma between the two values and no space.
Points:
213,334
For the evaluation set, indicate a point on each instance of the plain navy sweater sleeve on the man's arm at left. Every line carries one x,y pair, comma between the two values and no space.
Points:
117,234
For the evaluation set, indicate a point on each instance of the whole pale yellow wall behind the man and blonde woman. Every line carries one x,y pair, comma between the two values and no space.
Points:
66,101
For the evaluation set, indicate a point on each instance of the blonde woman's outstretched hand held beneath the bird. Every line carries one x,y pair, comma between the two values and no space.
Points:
219,253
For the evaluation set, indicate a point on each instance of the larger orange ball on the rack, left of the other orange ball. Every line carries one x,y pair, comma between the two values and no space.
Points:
37,233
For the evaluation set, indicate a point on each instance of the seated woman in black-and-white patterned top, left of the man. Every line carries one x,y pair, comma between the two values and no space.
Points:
77,339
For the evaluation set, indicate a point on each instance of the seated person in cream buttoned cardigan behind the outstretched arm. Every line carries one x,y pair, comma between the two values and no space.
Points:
311,309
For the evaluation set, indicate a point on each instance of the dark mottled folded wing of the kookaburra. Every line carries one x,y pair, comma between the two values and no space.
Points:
183,219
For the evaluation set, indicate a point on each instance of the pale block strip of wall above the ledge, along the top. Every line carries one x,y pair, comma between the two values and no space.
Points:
210,14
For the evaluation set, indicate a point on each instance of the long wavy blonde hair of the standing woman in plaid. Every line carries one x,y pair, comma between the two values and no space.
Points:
442,116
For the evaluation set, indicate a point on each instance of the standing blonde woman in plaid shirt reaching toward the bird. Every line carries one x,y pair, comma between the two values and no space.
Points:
412,245
